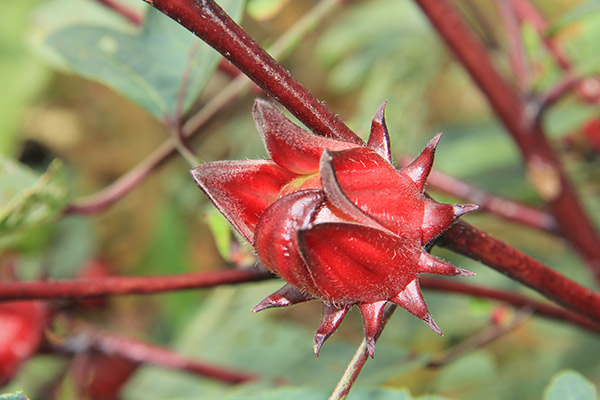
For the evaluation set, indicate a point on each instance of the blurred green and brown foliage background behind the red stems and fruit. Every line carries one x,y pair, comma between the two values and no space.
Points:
85,94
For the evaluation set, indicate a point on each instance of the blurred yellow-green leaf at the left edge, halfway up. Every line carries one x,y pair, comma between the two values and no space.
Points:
28,200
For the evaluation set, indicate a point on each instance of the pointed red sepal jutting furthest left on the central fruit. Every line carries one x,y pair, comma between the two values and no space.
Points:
242,190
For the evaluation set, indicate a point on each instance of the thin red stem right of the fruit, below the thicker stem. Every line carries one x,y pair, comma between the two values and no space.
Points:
515,300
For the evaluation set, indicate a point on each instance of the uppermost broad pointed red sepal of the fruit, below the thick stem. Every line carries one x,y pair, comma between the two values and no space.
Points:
290,146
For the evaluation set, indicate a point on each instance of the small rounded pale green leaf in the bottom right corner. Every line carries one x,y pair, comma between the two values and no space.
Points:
570,385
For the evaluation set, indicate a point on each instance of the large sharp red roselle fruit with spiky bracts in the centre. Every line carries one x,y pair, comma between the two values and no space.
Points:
335,219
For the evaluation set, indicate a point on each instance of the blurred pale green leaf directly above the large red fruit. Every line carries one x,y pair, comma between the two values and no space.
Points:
393,59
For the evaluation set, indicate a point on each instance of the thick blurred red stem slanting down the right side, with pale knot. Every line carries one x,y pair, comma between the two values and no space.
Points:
542,162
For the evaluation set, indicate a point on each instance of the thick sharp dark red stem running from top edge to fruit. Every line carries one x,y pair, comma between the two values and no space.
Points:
209,22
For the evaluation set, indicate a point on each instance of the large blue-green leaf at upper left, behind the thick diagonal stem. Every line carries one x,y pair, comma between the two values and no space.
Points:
149,67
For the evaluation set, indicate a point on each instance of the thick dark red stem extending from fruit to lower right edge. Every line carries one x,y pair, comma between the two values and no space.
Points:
470,241
